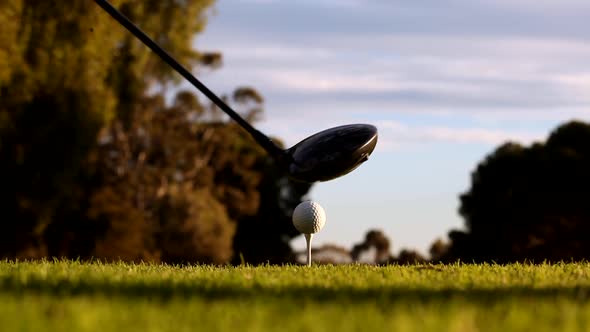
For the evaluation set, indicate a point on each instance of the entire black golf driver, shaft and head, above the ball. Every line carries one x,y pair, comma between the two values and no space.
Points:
324,156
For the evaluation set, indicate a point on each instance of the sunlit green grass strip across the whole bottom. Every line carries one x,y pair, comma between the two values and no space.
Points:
71,296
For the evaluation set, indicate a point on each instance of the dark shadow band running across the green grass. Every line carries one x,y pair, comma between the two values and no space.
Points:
164,291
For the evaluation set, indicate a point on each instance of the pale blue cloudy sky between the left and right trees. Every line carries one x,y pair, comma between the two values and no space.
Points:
444,81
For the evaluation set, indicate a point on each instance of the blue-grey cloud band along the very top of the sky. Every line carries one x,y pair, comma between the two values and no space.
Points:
317,20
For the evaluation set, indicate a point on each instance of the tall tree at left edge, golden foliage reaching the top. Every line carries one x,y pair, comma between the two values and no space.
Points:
58,67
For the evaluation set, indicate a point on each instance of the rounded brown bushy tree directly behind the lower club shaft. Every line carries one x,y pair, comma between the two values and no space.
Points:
196,181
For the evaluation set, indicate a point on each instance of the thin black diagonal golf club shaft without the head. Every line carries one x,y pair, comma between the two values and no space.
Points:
260,138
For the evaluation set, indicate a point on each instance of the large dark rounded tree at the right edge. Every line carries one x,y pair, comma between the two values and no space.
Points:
529,203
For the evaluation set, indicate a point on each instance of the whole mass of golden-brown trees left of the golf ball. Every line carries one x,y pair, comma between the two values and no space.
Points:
97,159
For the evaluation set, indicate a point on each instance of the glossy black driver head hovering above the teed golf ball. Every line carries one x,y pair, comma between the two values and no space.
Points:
331,153
